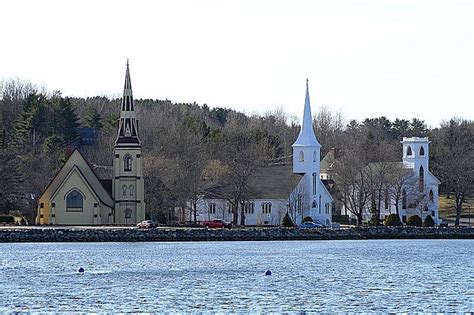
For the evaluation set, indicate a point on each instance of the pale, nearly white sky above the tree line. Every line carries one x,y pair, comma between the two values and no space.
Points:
399,59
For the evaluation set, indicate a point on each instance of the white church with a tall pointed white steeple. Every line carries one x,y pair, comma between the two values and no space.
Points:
297,190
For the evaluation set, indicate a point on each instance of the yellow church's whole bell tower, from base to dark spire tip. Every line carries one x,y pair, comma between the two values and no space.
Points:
128,185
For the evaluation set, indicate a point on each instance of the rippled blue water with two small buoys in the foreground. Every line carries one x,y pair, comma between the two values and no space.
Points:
319,276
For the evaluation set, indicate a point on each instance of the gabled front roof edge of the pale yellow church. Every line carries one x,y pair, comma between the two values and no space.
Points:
77,161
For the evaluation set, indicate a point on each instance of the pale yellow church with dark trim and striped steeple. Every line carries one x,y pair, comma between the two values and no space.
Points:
77,196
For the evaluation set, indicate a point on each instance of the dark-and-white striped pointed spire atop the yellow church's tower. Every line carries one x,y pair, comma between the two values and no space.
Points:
128,125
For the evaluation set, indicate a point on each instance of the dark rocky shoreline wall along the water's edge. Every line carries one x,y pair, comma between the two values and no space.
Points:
68,234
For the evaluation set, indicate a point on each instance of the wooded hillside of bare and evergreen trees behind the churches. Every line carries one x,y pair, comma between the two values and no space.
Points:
188,147
